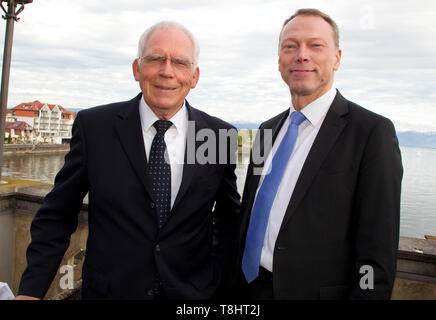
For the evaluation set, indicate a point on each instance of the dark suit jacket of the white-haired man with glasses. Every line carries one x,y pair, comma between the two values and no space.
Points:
125,249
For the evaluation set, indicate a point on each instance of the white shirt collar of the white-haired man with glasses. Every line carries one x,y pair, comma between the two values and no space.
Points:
179,120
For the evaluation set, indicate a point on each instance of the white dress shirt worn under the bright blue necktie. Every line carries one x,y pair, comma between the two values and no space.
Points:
315,113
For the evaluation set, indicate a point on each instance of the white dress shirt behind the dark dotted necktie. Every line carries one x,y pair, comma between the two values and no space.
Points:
175,139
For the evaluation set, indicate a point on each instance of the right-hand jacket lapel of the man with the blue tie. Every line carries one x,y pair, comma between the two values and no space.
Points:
330,130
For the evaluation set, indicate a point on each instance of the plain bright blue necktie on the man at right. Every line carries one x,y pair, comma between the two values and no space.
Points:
265,198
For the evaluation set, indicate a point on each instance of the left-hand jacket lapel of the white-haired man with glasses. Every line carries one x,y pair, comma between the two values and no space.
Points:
129,130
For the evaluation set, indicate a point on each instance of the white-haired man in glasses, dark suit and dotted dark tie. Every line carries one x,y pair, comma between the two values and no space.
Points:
158,229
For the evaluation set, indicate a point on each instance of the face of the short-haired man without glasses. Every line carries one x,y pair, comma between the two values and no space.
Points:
308,58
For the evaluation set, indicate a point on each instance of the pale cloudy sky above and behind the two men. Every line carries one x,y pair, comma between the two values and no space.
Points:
79,53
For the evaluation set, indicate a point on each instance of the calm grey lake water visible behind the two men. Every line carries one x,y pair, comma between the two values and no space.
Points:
418,201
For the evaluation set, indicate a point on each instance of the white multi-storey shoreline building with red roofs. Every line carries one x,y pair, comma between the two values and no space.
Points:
51,123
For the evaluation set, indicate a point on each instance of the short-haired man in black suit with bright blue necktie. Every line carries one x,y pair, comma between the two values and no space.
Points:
322,220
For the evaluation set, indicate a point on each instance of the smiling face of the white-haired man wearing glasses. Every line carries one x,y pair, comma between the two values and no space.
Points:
163,85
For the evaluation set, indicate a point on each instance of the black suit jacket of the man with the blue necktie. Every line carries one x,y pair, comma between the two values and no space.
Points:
344,211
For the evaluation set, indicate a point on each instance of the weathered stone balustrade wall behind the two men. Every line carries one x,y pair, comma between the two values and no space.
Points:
416,271
